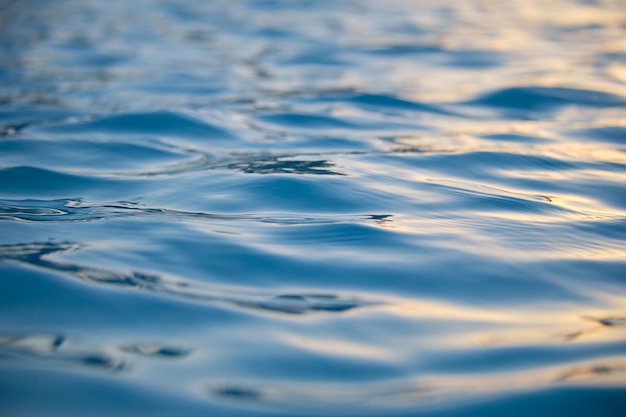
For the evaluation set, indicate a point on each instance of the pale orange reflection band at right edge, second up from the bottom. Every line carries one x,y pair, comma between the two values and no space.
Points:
500,326
